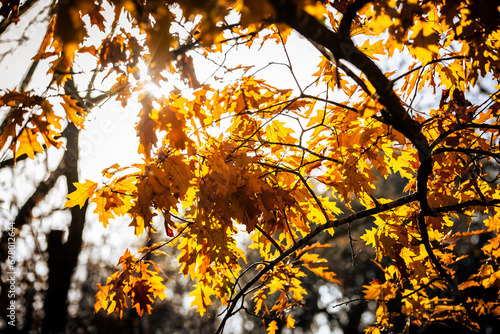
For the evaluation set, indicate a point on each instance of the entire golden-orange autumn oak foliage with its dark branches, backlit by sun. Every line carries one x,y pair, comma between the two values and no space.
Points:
245,158
